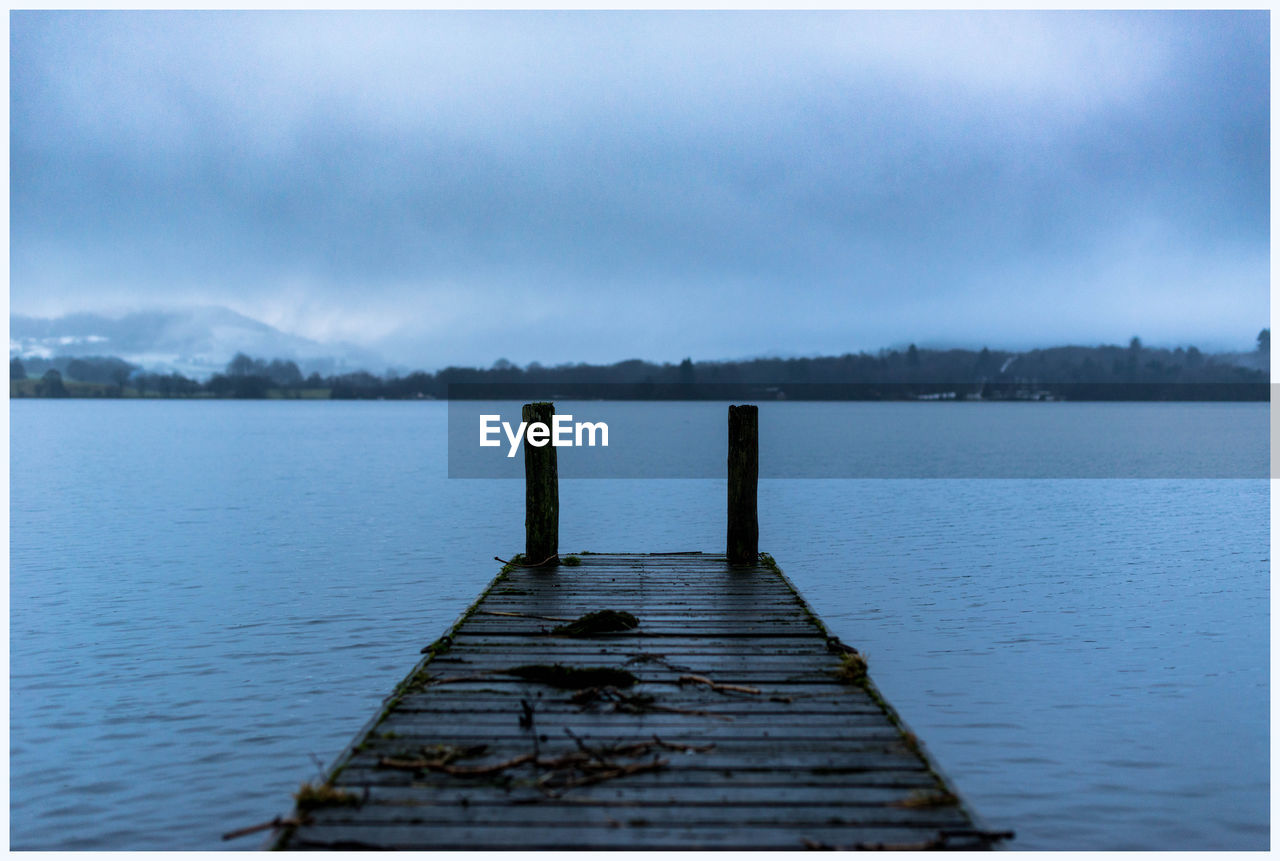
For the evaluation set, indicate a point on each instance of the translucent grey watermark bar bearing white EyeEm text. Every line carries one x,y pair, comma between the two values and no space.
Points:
810,433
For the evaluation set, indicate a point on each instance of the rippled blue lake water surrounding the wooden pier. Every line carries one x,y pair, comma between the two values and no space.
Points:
211,598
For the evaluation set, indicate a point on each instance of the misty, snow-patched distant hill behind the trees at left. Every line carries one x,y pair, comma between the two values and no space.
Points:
195,342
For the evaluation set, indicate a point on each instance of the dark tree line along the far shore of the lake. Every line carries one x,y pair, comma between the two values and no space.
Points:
1135,372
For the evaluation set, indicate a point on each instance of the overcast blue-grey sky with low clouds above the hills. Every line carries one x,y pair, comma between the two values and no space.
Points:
456,187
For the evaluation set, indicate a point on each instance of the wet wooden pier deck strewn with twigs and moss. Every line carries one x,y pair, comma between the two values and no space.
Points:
726,718
